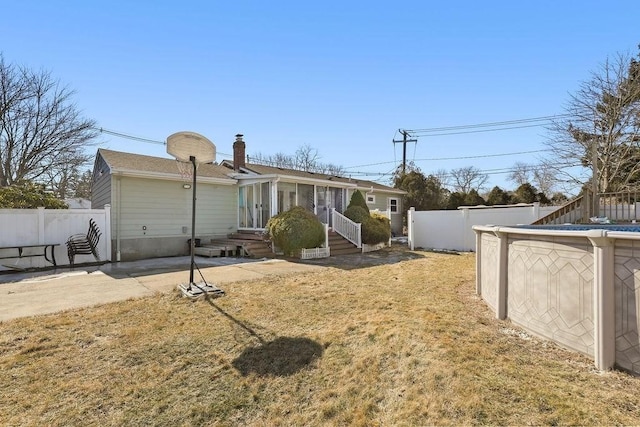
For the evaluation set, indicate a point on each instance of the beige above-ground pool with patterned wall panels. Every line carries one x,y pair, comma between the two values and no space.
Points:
577,285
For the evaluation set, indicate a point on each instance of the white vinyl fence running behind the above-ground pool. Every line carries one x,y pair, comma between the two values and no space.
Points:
452,229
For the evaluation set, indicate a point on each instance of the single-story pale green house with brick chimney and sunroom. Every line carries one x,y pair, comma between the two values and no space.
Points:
151,201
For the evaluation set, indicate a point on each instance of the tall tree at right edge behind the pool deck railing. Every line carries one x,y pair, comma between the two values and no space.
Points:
602,126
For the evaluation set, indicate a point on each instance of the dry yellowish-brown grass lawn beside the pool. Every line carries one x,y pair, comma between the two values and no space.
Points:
407,343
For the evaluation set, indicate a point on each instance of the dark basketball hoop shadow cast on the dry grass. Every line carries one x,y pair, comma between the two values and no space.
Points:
281,357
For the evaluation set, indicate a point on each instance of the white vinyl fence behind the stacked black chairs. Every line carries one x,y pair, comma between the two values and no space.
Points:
51,226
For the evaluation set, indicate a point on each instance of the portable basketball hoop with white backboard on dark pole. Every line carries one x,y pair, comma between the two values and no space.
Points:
190,149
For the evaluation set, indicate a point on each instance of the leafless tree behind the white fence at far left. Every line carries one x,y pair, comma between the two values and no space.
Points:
41,130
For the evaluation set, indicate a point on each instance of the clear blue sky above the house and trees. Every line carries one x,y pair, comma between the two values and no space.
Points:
340,76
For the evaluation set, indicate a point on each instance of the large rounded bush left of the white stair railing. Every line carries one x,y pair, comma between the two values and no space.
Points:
294,230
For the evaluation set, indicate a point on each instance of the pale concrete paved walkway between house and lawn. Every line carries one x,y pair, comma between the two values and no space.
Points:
36,293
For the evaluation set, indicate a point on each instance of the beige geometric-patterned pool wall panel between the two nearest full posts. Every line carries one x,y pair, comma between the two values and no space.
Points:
550,289
